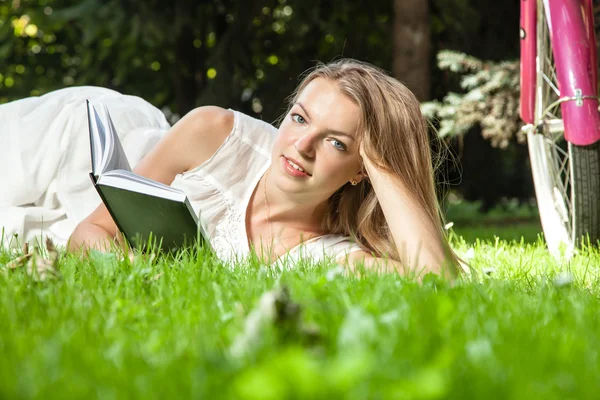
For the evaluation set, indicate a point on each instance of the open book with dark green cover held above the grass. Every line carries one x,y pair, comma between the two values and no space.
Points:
145,211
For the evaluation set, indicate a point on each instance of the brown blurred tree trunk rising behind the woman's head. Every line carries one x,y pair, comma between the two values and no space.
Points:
412,44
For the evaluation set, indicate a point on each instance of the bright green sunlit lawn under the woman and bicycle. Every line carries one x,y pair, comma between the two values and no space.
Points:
525,326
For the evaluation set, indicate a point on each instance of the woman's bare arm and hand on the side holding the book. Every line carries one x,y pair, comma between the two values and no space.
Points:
190,142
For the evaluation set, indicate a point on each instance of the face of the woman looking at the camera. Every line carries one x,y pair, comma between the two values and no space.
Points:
319,136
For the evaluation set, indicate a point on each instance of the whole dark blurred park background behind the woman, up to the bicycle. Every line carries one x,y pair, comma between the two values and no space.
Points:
459,56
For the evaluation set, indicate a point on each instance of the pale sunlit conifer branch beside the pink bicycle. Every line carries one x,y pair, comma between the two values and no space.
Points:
490,99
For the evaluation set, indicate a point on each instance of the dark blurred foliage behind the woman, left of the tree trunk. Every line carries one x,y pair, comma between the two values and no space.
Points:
181,54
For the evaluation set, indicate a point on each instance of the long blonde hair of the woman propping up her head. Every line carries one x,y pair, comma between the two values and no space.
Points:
396,138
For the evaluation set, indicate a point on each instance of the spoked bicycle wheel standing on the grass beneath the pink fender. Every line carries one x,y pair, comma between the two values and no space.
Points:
566,176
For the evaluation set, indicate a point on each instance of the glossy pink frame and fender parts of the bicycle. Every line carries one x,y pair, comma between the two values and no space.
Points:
574,48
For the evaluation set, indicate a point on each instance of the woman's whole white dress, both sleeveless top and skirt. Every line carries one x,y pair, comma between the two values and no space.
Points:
45,163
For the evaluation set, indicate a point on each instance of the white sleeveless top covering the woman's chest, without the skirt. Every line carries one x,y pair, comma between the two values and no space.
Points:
220,190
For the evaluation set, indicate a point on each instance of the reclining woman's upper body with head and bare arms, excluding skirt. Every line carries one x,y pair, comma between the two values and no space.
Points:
347,175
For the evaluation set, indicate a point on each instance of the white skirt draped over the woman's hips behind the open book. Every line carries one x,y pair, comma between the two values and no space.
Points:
45,158
